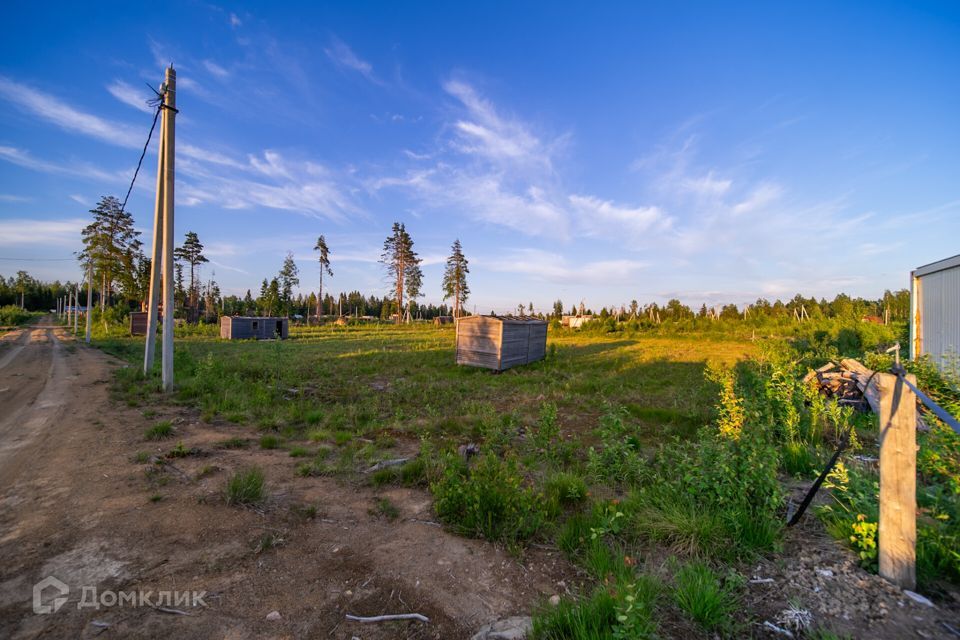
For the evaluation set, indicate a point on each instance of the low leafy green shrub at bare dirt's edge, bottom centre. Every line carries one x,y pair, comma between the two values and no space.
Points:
487,501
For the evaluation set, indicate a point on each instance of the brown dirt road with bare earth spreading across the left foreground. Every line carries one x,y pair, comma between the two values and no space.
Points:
75,505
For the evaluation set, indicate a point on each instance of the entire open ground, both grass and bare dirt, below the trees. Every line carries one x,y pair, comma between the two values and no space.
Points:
641,479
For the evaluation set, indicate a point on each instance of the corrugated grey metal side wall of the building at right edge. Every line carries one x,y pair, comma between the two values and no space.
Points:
940,315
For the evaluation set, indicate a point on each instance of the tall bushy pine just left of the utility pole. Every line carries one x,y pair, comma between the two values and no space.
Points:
111,243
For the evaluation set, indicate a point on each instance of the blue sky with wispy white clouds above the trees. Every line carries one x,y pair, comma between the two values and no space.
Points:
707,151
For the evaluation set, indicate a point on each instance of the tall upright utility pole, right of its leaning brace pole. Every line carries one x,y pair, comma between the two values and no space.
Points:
169,113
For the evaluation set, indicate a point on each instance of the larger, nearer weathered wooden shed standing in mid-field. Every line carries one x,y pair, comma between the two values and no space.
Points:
500,342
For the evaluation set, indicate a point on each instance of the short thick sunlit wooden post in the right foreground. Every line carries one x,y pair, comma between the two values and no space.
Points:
897,532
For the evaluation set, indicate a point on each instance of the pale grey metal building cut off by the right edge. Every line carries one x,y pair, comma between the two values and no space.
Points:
935,311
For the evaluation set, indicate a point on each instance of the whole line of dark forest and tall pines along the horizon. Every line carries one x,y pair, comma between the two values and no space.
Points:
121,275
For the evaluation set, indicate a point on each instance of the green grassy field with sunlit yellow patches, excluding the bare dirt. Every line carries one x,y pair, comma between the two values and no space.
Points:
617,446
